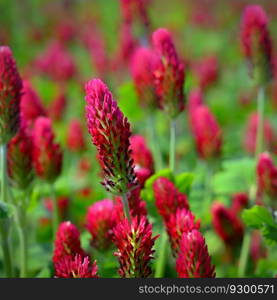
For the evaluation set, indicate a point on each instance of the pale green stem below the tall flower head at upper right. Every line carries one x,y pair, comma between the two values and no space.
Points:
260,129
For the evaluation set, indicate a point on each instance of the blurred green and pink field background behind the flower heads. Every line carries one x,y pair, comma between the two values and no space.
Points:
92,36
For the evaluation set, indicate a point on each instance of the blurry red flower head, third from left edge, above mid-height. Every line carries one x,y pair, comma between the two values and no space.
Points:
47,155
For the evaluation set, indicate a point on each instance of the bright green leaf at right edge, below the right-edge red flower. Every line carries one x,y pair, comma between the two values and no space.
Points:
257,216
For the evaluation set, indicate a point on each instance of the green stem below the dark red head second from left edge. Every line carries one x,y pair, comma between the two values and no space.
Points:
22,233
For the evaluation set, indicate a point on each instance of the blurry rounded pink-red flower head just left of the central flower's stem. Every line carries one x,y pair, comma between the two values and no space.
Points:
100,222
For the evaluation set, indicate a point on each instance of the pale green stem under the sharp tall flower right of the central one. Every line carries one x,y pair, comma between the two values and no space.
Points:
154,143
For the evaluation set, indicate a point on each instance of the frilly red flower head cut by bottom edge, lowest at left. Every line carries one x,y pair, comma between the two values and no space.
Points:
76,267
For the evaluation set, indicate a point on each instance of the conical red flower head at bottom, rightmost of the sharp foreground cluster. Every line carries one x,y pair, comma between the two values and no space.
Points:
194,260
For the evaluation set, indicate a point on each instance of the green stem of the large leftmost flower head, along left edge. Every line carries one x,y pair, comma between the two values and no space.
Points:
5,223
